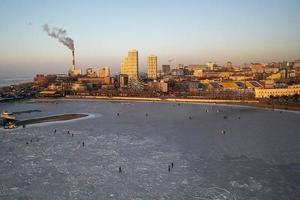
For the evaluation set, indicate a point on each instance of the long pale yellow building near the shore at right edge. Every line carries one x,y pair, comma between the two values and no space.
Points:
266,93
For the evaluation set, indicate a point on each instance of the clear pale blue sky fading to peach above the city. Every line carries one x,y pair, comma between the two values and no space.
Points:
187,31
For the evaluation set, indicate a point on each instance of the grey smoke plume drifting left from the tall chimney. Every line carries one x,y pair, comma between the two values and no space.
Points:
60,34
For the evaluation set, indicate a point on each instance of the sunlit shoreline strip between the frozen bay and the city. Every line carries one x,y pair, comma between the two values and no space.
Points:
249,103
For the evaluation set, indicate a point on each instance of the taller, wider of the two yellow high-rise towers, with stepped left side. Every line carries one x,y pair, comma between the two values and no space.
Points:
130,66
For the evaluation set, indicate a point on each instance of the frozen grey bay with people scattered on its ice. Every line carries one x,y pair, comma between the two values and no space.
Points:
218,152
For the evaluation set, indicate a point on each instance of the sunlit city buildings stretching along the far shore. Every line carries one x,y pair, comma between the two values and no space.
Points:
200,80
